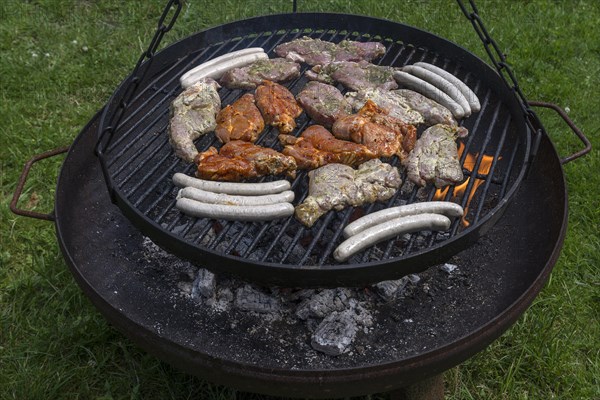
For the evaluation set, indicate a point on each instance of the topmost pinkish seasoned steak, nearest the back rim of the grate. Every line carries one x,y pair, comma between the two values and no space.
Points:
320,52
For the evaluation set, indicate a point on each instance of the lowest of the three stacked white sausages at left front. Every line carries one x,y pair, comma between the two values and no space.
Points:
234,213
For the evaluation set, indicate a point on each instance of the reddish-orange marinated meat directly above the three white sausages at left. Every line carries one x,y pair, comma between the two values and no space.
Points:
239,160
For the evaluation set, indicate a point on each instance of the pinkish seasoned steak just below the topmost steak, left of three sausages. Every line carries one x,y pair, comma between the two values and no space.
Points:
355,75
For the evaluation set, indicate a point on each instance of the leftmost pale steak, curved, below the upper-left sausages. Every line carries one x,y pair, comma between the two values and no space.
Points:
191,115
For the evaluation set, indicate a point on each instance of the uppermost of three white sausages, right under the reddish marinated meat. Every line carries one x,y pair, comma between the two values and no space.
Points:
245,189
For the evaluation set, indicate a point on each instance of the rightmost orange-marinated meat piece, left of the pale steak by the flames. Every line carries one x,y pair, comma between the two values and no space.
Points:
383,134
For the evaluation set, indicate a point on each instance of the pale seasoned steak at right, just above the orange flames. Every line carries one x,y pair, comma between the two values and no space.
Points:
435,157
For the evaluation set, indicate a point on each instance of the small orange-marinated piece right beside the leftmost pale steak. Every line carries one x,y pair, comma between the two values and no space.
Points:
240,121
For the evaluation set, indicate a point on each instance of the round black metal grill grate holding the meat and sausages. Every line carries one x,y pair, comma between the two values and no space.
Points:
140,162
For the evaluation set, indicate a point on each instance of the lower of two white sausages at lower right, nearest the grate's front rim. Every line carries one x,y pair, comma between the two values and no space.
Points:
390,229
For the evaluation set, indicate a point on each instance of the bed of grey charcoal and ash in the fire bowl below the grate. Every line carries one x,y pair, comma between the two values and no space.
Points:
333,317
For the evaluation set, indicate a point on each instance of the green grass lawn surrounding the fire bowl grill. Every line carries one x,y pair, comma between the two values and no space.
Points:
59,63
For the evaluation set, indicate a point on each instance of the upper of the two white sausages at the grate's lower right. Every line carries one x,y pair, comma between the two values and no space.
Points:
446,208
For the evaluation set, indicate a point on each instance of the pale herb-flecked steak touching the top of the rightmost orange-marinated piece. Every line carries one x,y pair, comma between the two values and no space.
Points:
395,105
